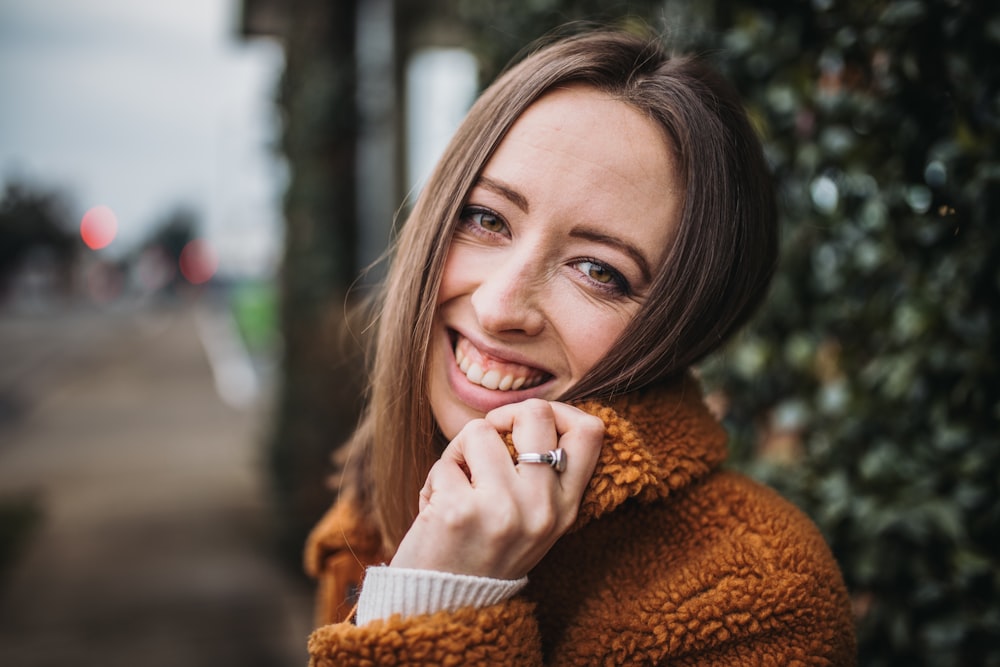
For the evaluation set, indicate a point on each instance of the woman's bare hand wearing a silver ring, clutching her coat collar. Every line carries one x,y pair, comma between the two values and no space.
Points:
480,514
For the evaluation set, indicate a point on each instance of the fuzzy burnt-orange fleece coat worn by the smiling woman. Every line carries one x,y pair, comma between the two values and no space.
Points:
672,561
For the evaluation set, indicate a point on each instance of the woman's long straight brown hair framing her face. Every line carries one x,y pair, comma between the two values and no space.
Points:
714,275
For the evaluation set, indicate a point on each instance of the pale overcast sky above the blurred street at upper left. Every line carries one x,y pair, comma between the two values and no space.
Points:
144,106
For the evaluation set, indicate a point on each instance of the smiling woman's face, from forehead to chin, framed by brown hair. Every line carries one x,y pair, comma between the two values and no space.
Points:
554,253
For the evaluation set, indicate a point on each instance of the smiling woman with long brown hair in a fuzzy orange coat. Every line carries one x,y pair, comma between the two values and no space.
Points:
536,479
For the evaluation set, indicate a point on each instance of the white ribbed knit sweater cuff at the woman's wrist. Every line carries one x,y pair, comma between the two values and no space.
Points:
408,592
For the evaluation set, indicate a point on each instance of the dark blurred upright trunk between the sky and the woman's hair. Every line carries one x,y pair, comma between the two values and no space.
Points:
317,405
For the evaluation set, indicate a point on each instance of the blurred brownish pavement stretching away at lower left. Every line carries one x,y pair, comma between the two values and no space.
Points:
153,547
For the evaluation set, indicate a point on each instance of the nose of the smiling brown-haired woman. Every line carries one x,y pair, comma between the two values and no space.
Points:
508,298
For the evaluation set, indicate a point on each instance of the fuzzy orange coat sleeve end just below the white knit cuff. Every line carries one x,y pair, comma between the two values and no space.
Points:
502,634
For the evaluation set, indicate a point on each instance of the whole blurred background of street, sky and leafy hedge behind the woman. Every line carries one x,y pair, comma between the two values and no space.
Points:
194,194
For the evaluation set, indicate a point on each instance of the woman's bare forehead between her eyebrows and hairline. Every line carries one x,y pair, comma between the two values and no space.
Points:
580,153
